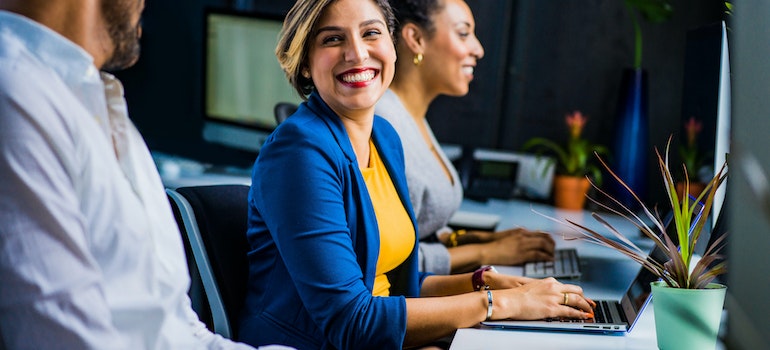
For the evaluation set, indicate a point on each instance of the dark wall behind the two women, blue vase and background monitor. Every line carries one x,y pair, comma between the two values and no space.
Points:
543,59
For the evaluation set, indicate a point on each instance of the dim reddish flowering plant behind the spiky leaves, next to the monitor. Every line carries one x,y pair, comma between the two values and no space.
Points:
693,159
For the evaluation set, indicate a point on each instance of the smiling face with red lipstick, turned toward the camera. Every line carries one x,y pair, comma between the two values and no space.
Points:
351,60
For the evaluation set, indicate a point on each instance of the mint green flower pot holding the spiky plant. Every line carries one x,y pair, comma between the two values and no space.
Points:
687,318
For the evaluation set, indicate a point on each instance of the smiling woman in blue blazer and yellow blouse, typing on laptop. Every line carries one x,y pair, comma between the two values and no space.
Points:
316,235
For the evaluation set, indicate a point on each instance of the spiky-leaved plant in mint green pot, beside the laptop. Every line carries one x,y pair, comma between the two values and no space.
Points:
687,303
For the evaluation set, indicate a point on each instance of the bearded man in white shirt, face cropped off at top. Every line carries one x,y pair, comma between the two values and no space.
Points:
90,254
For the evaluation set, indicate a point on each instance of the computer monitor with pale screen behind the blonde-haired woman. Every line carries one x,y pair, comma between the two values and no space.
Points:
243,80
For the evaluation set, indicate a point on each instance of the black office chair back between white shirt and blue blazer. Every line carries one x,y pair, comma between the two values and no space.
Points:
213,221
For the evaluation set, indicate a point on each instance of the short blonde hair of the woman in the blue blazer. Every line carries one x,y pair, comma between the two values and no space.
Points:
296,36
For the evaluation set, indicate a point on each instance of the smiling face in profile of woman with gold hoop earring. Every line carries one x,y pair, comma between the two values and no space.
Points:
452,50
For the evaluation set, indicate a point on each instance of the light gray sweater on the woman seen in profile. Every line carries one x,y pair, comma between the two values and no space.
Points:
434,198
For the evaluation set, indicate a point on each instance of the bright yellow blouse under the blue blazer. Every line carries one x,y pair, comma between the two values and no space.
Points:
397,236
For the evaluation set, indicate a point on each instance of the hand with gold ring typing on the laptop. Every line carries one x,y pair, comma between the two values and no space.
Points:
541,299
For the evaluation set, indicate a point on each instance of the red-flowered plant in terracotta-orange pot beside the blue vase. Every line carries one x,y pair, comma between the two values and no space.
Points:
573,163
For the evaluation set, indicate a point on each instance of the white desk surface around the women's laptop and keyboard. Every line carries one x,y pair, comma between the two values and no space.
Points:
606,275
